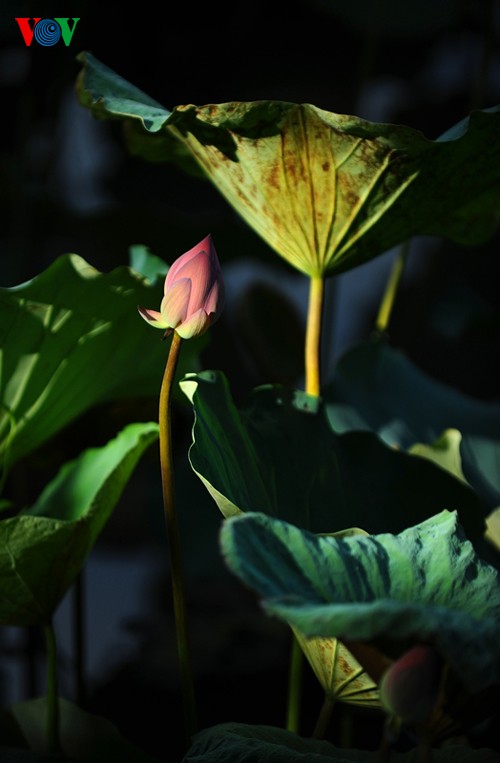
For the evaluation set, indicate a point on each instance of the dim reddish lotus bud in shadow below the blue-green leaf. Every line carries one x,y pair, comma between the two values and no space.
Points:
409,689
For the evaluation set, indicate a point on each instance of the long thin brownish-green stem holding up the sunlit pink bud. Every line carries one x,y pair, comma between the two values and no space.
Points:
173,537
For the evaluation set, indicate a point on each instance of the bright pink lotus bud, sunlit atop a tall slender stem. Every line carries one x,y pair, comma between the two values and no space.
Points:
193,293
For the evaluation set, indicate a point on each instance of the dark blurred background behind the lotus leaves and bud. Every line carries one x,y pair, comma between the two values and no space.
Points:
69,185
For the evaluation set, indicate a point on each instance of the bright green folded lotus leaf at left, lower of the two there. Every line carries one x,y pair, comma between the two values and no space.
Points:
43,548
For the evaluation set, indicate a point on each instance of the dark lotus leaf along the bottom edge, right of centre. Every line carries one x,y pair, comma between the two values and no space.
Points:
243,743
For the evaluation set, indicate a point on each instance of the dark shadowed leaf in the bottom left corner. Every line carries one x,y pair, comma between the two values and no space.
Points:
84,737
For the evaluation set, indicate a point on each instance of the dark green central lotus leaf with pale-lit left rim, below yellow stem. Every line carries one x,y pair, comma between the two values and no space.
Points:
279,455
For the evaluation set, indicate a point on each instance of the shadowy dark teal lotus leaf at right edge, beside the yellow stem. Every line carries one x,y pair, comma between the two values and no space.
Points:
377,387
